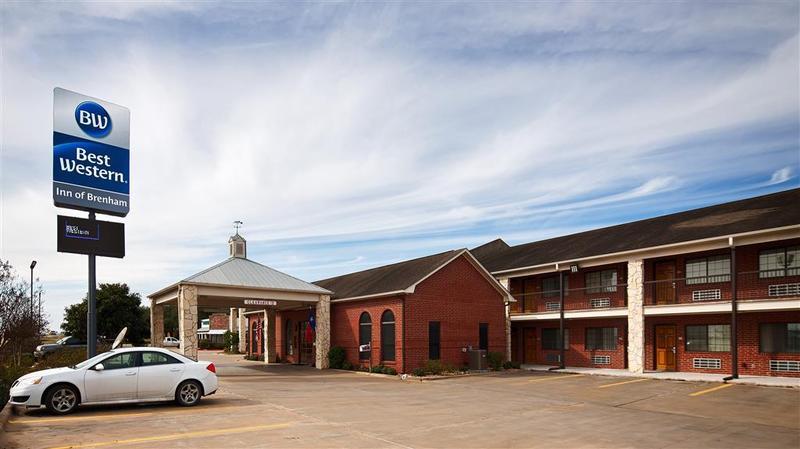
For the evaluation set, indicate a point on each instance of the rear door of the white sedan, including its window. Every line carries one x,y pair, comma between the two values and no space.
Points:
159,375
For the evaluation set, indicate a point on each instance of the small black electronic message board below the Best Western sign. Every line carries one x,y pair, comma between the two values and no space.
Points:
82,236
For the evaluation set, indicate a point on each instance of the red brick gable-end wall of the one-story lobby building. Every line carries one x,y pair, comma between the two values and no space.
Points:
460,298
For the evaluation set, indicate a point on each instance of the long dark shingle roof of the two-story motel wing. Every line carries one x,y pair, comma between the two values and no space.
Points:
764,212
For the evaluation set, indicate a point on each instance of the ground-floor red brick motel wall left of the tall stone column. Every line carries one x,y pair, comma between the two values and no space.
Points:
576,354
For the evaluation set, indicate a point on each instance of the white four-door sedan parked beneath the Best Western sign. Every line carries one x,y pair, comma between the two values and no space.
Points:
121,375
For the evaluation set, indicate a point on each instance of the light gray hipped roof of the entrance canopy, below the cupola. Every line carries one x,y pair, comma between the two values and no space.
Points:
240,272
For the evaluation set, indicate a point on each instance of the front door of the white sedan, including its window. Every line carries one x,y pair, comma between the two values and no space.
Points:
117,380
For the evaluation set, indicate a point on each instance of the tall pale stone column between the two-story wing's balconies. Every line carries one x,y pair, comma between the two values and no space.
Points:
636,316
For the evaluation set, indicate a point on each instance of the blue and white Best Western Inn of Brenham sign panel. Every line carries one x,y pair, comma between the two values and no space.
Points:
91,154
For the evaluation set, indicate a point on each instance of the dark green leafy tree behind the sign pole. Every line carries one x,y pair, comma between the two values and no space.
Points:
117,307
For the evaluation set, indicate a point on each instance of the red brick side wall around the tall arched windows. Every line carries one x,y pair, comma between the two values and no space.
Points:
344,328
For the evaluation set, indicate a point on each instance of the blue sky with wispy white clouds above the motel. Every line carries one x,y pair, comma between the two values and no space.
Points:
351,135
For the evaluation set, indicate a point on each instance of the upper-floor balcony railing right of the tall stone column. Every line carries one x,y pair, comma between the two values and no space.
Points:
771,284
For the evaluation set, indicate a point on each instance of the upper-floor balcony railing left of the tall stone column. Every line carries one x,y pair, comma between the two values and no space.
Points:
588,298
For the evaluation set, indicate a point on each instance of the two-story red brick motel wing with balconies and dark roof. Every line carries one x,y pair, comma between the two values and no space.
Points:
660,294
